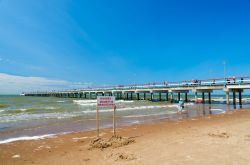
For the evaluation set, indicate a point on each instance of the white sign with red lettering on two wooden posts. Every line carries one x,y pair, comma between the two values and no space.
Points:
105,101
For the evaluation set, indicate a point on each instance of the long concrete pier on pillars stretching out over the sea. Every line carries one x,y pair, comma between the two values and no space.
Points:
165,90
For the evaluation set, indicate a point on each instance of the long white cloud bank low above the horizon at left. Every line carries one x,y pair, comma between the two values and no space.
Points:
12,84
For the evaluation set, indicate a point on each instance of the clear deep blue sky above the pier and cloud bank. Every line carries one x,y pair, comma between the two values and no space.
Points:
127,41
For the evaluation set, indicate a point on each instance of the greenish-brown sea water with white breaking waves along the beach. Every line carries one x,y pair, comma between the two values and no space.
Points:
40,116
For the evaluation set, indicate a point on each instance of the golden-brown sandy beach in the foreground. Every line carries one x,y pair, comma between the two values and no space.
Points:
217,139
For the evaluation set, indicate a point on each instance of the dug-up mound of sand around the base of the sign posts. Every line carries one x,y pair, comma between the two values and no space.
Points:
114,142
